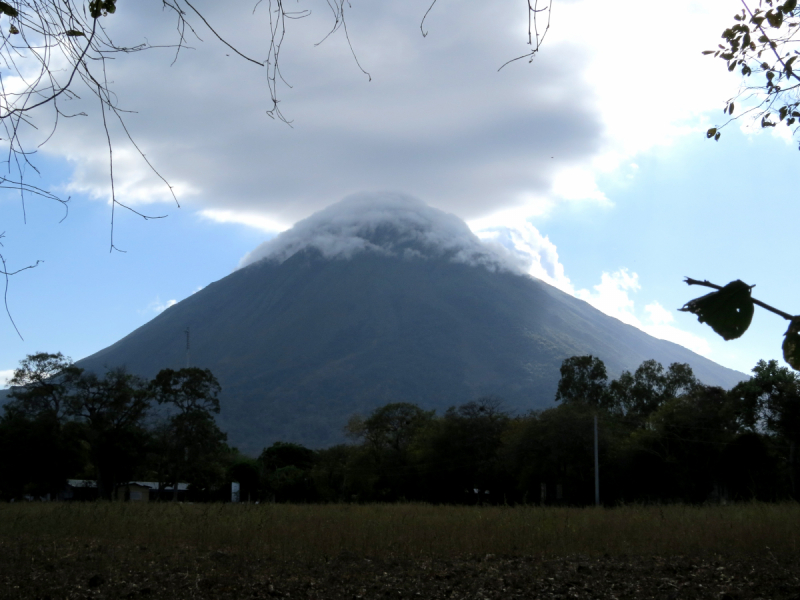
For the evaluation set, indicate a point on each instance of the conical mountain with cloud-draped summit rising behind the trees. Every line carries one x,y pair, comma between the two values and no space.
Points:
375,300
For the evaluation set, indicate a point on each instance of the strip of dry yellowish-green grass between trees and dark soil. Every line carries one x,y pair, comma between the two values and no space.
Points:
413,531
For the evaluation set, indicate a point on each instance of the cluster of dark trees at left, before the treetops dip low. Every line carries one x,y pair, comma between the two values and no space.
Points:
63,422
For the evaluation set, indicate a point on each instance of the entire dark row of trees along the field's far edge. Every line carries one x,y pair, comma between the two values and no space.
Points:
663,436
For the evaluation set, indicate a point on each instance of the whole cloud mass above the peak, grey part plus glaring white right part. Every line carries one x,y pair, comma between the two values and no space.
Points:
437,120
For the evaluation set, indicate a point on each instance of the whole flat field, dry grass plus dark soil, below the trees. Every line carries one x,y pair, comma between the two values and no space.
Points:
115,551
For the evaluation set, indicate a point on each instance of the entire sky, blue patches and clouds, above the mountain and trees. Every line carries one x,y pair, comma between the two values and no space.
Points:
590,160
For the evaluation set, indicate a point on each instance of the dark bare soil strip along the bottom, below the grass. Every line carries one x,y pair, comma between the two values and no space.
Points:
51,571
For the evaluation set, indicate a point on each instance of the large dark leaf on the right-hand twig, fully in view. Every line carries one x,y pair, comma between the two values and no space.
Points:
728,311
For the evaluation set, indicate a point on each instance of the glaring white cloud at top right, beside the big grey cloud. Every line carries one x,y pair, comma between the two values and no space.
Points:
649,88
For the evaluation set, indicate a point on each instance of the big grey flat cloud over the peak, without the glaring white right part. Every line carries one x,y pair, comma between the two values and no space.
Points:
413,127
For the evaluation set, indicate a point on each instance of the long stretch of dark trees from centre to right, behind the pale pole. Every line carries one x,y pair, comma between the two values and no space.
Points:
663,436
